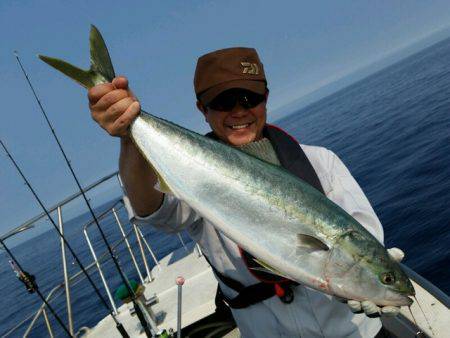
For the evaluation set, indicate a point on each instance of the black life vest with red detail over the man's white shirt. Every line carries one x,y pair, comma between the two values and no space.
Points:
292,158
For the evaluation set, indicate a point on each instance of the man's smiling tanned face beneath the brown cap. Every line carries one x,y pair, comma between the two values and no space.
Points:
238,125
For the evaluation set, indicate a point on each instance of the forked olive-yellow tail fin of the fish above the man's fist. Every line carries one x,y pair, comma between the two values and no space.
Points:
101,70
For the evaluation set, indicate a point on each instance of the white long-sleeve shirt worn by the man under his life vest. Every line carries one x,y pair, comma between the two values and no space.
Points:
312,313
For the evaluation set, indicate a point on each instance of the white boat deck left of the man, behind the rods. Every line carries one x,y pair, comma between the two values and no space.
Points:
199,292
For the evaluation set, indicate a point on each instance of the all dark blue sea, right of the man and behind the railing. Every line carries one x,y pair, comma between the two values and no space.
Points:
391,129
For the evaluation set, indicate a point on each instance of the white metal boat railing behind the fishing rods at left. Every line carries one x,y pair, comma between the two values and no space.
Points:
98,259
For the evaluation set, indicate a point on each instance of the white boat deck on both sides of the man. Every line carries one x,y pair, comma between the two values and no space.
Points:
198,301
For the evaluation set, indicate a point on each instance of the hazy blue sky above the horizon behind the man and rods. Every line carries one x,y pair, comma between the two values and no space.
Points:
304,46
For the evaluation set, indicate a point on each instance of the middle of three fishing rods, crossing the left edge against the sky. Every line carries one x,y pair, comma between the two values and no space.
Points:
119,326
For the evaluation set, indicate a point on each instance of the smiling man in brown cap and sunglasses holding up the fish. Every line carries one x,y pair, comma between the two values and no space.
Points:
231,90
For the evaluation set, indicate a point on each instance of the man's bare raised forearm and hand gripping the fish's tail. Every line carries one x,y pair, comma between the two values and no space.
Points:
114,107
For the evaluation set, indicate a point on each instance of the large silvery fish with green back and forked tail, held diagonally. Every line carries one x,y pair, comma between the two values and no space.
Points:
288,226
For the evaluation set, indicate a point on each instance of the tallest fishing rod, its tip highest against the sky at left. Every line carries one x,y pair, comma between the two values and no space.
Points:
114,259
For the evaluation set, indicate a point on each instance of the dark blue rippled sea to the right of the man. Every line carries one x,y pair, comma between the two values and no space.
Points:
392,130
